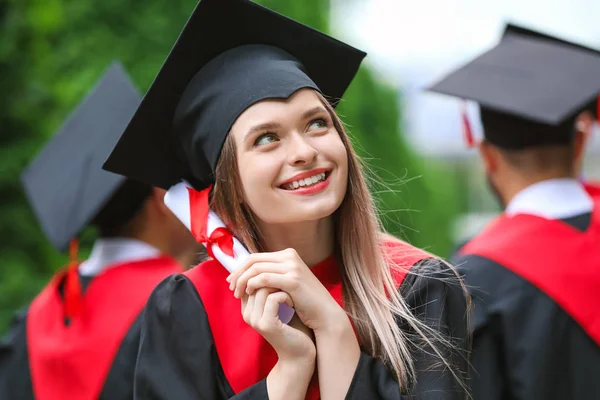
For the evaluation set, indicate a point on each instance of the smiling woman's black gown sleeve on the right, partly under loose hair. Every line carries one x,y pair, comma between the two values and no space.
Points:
435,295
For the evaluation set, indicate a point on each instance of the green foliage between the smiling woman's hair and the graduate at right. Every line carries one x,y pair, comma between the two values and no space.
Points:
416,199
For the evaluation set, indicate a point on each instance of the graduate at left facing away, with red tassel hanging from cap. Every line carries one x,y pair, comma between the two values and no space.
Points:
79,337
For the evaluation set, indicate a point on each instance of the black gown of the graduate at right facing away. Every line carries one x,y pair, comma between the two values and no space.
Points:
525,344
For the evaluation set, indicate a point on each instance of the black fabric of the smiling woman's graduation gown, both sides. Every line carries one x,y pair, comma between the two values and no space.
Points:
178,359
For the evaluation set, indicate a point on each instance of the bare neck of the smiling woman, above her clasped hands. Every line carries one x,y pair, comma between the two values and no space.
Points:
312,240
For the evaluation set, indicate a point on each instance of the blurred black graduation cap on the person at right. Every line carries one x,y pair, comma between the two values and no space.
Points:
530,89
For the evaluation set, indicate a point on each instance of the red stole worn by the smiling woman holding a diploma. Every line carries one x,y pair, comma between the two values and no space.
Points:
245,356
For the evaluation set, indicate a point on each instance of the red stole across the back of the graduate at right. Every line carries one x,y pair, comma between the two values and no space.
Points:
558,259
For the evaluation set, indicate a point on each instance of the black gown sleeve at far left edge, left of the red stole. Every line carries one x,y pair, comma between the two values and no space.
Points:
15,377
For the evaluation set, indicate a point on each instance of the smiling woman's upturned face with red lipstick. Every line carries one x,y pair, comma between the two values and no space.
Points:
292,163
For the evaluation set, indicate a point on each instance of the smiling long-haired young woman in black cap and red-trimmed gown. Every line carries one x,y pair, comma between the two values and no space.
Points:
246,112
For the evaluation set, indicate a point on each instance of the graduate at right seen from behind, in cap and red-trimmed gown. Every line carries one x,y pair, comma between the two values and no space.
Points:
534,272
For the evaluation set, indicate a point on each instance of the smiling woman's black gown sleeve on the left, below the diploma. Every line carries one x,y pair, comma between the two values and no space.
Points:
177,359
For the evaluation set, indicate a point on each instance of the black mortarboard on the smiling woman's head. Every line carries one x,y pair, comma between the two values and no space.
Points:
230,55
